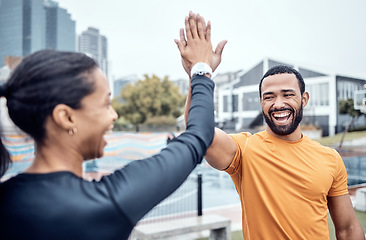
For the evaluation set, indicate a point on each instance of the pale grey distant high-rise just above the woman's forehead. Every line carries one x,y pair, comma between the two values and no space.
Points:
95,45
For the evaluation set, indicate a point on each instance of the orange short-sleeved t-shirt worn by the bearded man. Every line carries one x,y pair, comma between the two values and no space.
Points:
283,186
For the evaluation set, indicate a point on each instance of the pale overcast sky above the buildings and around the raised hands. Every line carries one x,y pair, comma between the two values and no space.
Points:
327,35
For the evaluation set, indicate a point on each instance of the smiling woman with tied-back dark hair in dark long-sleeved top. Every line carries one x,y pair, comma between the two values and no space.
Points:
62,100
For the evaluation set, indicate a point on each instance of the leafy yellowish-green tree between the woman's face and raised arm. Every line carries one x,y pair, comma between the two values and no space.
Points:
151,97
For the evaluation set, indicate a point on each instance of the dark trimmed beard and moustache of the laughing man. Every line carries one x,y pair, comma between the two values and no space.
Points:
283,130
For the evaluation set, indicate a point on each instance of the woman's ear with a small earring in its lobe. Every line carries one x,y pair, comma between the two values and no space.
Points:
64,116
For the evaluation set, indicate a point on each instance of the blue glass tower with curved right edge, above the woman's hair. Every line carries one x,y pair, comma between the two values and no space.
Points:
60,28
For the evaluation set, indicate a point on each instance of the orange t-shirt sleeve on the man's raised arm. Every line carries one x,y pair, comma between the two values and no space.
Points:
240,140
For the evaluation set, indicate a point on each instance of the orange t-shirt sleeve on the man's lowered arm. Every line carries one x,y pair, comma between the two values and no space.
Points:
339,186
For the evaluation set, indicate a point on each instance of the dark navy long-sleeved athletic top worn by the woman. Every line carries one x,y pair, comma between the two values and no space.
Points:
60,205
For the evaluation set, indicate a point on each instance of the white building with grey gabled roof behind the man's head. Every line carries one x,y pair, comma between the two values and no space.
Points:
239,103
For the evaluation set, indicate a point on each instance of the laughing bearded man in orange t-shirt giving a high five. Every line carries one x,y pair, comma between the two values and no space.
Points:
286,181
